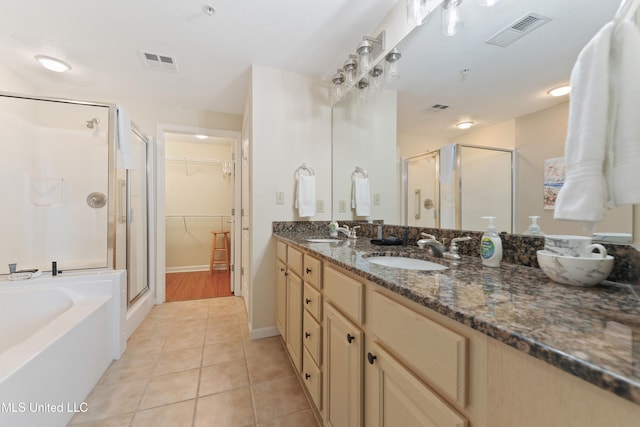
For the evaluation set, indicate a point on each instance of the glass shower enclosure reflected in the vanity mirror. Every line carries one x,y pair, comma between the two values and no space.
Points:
455,186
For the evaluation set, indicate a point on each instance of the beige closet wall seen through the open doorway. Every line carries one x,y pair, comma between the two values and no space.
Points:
198,200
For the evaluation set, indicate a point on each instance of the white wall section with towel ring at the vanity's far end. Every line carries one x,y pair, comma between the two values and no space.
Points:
291,124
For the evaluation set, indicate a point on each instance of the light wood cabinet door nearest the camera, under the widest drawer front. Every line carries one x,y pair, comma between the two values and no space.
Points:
396,397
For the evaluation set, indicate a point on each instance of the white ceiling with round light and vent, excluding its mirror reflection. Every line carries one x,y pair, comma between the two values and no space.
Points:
102,42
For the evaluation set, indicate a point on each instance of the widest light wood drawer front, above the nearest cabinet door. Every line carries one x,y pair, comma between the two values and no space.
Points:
432,351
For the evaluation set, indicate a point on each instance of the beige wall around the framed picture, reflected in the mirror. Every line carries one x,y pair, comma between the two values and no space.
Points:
541,136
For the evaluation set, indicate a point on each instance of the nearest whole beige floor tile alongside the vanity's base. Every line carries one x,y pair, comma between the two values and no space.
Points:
278,397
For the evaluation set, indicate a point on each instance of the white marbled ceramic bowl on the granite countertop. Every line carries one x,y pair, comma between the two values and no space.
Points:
577,271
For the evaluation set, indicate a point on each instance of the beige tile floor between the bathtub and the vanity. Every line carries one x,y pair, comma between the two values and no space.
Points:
192,363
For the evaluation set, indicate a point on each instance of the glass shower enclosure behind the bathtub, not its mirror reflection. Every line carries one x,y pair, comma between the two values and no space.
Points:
65,197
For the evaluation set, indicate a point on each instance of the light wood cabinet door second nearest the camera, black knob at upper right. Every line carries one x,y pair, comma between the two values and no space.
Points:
343,368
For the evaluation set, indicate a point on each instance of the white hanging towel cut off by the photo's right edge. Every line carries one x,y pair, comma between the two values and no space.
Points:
623,165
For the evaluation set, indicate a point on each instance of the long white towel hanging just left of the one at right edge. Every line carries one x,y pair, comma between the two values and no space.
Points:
583,195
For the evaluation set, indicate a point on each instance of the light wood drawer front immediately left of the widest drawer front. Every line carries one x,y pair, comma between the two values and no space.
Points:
345,293
